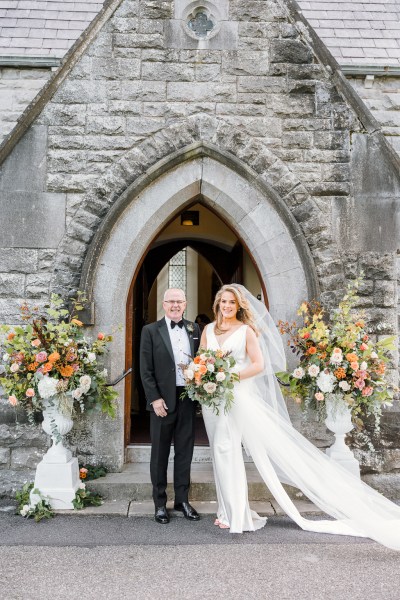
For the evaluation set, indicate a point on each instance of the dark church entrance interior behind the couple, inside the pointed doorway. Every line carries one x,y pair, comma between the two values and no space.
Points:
222,263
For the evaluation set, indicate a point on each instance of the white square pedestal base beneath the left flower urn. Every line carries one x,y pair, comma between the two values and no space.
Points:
58,481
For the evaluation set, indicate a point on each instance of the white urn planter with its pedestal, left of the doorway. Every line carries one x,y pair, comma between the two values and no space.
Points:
57,474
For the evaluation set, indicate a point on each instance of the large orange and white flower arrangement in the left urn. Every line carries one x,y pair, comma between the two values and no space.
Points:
49,356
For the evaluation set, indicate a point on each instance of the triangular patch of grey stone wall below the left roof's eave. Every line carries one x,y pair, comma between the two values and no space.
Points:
18,86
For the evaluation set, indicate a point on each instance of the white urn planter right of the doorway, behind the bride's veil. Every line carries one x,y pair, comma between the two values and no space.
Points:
338,420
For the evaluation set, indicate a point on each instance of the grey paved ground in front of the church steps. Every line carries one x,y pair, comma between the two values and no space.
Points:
104,557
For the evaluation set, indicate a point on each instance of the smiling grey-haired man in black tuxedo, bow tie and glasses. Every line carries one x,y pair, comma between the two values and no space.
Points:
163,346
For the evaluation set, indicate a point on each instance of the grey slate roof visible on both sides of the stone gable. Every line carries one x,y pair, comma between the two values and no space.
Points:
366,32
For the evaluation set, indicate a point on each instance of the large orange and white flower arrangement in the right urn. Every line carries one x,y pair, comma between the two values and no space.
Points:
339,359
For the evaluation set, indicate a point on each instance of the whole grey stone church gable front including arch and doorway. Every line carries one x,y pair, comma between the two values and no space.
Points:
232,112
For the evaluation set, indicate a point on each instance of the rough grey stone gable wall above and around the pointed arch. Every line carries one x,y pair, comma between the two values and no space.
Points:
144,90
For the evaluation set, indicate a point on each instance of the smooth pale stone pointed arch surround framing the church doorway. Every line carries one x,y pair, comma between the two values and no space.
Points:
251,208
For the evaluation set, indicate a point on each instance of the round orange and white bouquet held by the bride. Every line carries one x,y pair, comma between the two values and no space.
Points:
210,379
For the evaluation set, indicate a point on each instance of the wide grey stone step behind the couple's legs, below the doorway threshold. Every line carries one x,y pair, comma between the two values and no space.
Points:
133,484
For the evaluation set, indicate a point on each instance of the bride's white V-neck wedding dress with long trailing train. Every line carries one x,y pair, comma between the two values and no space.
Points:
282,454
